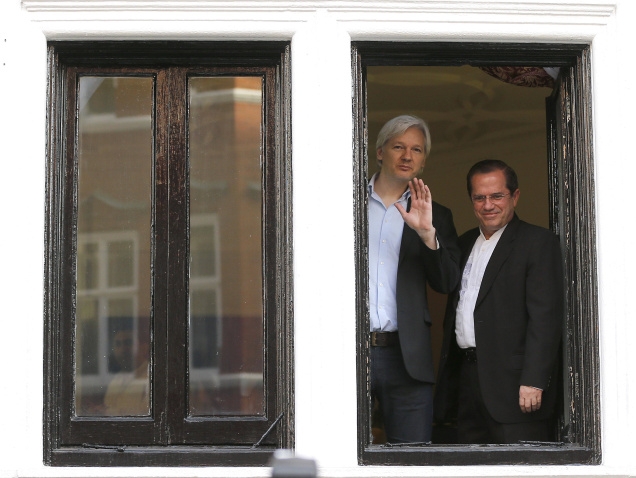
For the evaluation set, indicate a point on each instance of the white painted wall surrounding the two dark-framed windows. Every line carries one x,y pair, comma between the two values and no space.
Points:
321,32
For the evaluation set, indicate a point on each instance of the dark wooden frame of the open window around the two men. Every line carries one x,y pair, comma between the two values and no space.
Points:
572,216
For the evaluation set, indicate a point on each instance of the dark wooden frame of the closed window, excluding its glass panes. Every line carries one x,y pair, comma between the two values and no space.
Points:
168,437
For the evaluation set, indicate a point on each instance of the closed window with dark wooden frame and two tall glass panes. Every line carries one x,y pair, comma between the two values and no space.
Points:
168,268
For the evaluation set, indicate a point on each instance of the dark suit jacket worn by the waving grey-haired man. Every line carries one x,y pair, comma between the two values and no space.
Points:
419,265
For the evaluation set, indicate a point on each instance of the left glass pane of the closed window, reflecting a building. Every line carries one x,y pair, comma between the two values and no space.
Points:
115,162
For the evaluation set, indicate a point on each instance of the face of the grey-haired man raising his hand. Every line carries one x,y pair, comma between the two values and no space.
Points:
403,156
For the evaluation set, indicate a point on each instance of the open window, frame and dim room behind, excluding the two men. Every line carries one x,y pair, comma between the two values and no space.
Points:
559,172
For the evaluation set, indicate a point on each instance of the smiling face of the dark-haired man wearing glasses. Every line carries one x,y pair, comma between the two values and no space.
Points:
492,213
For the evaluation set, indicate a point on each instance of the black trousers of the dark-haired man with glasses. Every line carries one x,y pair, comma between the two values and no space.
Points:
474,423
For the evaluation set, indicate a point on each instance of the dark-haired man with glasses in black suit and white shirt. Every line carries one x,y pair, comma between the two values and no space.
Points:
503,325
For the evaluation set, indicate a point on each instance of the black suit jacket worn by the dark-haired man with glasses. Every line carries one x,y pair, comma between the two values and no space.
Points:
518,323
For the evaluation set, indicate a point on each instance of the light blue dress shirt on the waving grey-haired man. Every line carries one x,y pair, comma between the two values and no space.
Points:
385,236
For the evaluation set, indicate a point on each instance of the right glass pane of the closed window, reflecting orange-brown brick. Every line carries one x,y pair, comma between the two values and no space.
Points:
226,290
